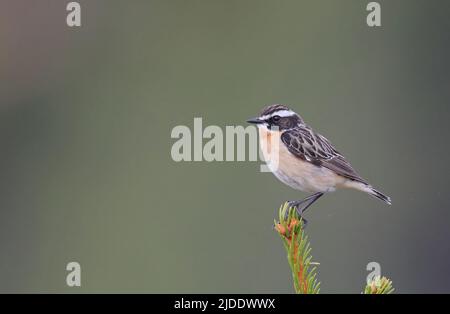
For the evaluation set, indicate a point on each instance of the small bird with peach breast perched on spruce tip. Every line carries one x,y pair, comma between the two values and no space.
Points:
307,161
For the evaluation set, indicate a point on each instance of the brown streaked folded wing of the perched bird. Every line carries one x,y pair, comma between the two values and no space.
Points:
315,148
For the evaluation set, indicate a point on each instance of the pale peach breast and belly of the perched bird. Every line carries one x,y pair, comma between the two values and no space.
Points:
293,171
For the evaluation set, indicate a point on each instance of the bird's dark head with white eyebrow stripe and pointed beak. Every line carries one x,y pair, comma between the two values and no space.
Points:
277,116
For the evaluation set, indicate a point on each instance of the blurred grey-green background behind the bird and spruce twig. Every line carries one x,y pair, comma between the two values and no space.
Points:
86,116
